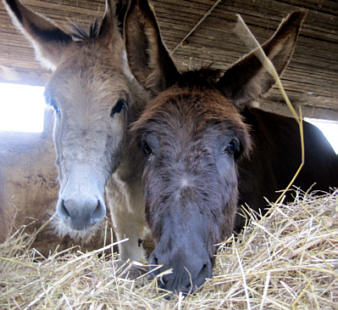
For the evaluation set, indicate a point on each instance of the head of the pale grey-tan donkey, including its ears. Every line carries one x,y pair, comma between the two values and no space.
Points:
91,95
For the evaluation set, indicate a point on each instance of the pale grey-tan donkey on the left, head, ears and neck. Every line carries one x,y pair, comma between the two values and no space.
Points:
94,97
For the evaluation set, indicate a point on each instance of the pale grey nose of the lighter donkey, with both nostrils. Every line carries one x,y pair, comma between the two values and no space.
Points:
81,214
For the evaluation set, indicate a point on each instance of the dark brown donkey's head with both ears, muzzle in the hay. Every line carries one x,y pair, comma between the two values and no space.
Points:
193,136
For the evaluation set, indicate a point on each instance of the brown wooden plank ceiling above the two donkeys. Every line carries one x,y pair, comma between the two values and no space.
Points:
200,33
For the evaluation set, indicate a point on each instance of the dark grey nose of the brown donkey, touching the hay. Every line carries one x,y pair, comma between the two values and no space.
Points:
187,274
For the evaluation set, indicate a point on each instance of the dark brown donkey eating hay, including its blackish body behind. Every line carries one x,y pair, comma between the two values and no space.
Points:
197,132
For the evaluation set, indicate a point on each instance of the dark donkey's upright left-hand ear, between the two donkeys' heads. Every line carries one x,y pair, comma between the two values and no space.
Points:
147,55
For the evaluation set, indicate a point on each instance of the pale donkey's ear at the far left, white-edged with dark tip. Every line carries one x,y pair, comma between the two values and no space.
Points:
48,40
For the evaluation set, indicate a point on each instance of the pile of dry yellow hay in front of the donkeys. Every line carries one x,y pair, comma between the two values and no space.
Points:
288,260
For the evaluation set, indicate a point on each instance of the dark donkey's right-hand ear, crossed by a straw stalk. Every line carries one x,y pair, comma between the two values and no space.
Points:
247,79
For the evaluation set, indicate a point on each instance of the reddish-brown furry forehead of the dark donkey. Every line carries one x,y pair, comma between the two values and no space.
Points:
179,106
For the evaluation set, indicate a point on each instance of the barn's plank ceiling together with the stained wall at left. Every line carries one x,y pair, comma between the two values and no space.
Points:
198,33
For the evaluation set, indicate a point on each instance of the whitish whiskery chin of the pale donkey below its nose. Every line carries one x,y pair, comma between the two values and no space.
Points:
83,234
